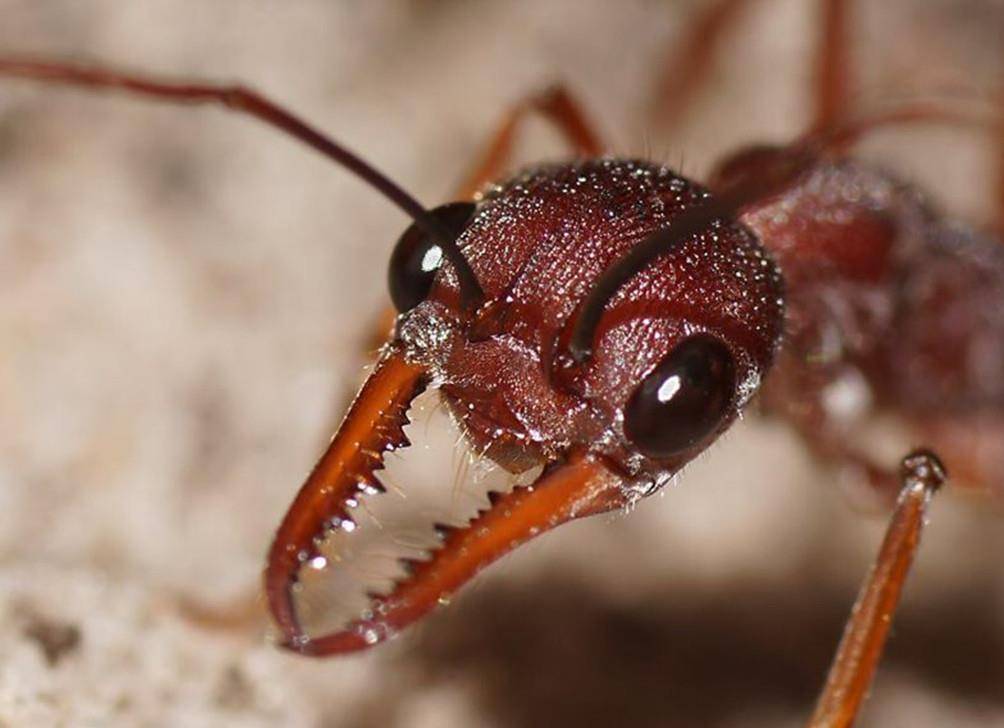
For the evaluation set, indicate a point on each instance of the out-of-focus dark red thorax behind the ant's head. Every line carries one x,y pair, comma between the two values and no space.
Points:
890,308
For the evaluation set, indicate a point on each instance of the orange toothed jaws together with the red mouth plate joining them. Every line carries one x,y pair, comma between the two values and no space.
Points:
510,411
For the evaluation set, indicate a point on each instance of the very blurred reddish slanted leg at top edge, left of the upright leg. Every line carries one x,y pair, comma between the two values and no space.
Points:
687,71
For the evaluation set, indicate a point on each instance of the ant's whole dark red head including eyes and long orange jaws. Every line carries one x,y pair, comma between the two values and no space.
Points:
677,349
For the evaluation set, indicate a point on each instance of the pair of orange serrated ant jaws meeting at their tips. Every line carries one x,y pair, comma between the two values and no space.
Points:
575,484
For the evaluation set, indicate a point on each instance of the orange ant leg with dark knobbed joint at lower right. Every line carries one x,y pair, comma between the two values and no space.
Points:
861,649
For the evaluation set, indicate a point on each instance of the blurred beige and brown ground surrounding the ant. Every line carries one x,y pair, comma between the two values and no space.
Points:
186,299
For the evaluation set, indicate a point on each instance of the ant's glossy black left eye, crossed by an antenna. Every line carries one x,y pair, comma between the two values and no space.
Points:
417,258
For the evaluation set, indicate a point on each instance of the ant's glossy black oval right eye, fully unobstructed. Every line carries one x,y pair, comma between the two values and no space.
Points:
683,400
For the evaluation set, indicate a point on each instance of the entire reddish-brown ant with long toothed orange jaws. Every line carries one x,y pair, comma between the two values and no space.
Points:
605,320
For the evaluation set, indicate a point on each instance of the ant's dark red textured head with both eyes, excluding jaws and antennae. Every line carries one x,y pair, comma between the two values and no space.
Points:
679,352
